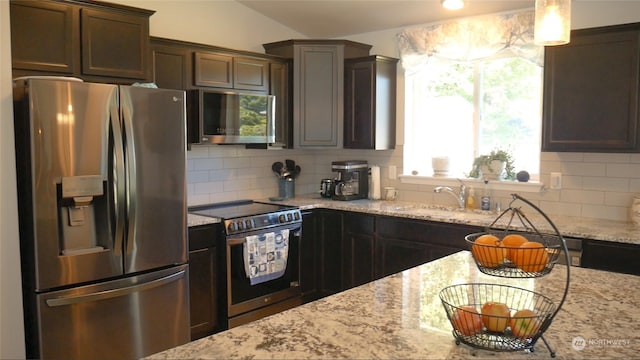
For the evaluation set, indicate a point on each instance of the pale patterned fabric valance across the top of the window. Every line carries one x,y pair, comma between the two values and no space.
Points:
471,39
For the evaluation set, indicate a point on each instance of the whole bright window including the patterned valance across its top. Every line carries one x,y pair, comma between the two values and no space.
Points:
472,86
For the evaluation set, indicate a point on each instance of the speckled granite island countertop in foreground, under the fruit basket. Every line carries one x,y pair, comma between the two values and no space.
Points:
401,317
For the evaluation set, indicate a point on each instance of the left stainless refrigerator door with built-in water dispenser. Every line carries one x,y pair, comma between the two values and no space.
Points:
67,202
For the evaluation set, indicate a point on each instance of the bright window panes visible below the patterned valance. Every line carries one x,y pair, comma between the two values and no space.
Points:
465,109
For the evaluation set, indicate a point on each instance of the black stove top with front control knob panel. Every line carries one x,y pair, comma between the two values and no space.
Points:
247,215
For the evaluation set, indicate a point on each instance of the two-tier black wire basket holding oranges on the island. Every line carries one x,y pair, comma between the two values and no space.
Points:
503,317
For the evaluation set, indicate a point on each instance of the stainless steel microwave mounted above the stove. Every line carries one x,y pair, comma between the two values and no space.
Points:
232,117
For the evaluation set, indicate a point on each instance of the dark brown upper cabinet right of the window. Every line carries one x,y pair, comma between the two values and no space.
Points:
591,99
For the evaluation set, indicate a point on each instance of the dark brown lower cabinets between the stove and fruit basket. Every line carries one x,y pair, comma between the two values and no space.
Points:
353,248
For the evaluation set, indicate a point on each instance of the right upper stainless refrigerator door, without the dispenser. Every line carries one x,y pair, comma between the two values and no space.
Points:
154,129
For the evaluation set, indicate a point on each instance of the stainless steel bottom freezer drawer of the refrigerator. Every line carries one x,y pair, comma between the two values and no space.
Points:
121,319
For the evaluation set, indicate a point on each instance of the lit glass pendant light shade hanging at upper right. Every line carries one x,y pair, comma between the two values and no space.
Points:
553,22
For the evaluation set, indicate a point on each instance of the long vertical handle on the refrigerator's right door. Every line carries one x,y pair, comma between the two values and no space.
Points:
130,152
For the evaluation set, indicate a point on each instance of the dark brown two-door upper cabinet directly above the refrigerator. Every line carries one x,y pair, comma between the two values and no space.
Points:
93,41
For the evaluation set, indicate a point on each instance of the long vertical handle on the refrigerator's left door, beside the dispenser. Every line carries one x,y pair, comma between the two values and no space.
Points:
119,180
